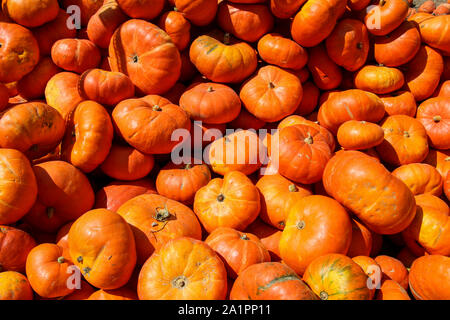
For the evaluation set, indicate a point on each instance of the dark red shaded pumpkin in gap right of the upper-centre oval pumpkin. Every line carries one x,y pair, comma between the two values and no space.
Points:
325,72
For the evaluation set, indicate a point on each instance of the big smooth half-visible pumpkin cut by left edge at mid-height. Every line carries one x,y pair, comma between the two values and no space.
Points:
18,183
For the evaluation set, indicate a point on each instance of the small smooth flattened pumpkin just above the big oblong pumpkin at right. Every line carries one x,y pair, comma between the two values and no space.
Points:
359,135
